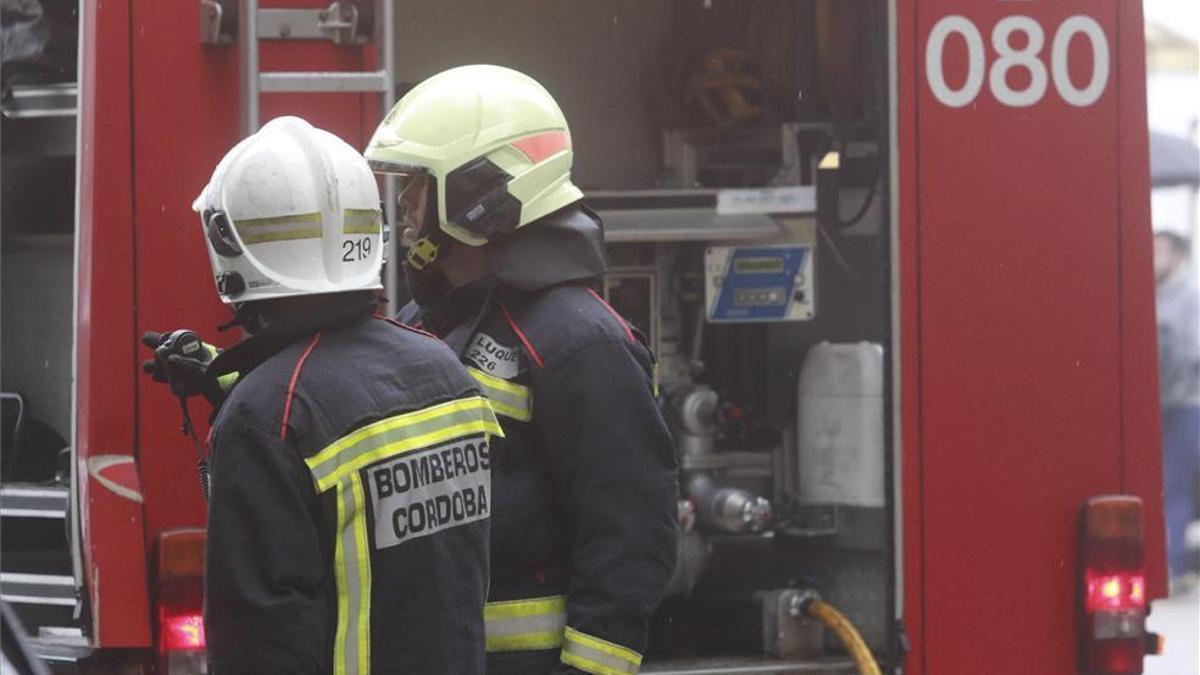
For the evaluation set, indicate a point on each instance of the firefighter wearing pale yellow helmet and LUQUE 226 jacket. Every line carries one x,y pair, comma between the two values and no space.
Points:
502,256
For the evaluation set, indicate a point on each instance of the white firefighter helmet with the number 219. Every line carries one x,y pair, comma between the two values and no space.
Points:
292,211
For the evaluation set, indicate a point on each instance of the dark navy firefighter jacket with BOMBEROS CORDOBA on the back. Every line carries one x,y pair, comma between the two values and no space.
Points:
349,523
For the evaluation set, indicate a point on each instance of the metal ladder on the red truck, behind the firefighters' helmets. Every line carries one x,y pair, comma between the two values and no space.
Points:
351,23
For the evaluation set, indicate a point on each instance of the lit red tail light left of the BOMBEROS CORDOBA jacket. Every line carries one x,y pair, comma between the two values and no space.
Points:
179,602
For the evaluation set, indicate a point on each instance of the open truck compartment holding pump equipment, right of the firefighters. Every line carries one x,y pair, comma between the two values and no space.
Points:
737,153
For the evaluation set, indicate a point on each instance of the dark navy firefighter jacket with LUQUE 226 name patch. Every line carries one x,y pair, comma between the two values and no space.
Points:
585,519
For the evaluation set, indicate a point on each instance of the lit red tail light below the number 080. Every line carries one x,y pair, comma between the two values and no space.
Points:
1113,588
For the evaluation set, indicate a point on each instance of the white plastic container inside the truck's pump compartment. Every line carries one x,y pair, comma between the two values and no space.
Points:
841,426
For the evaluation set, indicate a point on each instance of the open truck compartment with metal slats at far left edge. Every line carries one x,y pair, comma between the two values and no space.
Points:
38,142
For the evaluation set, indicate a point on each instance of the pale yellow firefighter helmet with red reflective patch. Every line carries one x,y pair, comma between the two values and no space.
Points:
495,145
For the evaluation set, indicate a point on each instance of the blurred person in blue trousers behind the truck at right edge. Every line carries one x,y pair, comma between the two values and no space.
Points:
1178,301
